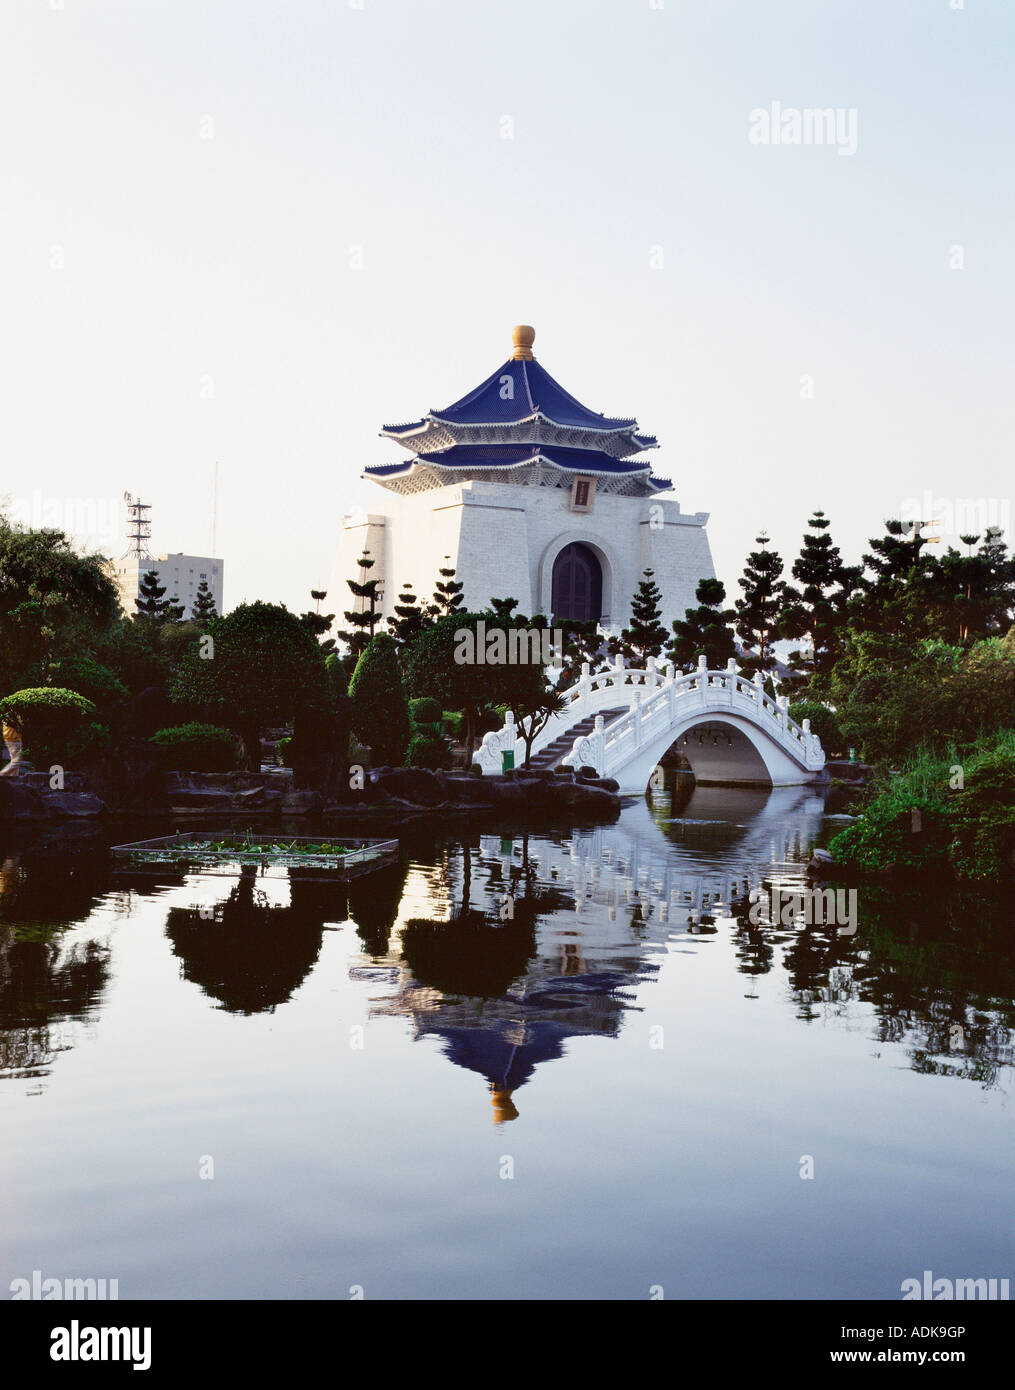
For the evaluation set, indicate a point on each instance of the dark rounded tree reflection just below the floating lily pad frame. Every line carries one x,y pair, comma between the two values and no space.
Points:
252,956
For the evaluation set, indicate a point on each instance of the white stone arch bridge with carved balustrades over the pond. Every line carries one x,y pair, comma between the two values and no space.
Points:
625,721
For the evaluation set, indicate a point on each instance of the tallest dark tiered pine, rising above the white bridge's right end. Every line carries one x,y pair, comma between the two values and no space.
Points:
817,610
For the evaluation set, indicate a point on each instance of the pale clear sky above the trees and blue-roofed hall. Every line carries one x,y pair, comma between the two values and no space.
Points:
248,236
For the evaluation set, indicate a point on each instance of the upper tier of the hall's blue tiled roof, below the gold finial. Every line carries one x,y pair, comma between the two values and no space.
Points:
532,390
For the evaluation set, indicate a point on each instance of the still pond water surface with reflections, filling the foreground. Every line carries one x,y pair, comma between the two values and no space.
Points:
396,1089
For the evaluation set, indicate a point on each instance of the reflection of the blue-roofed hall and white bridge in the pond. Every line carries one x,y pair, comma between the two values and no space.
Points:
590,921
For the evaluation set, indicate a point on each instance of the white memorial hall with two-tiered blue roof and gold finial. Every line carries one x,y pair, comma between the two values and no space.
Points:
526,494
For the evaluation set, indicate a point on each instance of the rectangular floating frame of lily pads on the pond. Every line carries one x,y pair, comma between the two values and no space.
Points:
347,860
